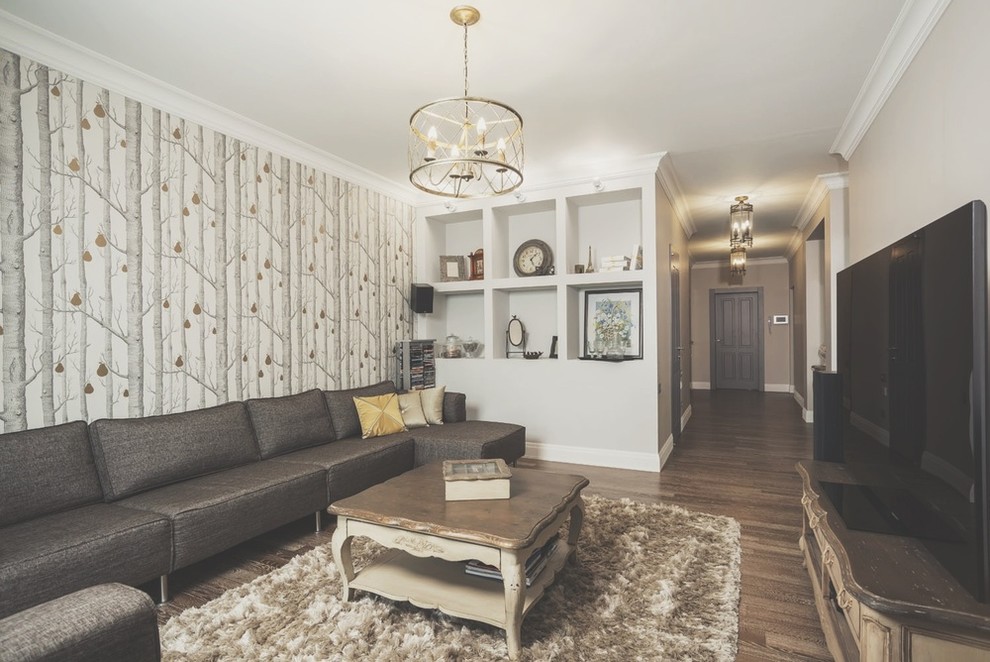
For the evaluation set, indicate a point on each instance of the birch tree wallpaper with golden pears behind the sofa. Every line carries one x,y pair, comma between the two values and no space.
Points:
150,265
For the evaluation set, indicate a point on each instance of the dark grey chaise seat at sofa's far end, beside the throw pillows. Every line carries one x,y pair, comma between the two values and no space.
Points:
470,440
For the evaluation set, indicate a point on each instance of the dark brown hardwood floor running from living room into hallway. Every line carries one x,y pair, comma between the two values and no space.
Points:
736,457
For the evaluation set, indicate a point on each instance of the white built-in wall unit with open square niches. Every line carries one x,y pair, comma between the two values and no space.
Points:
565,402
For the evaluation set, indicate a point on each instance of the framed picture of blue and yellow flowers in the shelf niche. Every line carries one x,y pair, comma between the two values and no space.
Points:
612,324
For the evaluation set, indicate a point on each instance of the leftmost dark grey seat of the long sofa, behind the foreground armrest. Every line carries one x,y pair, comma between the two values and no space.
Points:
64,552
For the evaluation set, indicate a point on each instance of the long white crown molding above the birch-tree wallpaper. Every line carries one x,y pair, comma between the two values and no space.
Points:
35,43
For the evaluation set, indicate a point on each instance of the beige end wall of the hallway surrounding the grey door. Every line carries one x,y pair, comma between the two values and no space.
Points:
774,278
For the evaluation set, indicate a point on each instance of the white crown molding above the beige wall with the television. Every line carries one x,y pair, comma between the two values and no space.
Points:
906,37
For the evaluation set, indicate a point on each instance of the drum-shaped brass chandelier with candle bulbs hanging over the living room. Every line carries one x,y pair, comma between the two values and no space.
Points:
465,147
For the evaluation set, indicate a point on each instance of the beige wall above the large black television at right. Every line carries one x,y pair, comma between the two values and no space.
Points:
926,153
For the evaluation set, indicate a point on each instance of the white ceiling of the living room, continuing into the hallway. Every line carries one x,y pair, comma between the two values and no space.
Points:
746,97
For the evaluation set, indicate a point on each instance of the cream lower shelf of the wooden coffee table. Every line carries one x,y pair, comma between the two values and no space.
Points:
433,583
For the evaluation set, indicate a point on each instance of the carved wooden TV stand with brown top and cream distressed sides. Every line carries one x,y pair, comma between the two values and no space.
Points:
883,597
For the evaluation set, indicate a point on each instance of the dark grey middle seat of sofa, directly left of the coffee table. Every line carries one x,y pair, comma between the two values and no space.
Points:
212,513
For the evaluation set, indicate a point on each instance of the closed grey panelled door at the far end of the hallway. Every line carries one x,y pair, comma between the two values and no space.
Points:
738,347
